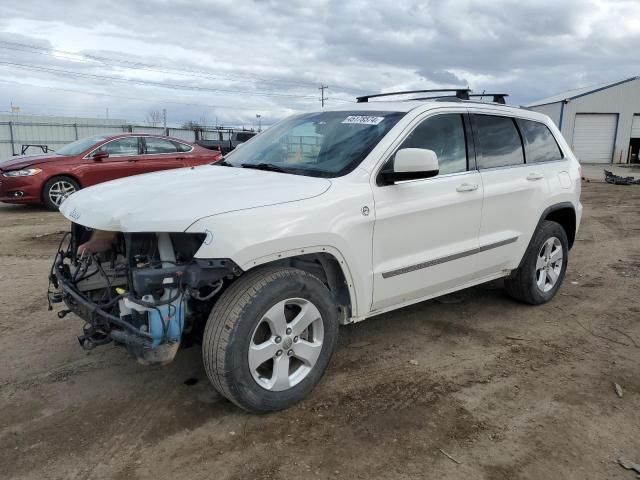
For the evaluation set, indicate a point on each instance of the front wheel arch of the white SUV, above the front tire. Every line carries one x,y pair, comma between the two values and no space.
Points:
326,263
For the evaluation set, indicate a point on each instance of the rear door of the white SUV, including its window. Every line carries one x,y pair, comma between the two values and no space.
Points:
514,192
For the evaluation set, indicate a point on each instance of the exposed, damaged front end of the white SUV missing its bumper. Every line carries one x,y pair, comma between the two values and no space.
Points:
145,291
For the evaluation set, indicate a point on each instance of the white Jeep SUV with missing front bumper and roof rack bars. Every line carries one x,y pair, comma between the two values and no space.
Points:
323,219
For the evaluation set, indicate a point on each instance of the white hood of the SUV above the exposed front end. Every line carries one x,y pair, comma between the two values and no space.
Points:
172,200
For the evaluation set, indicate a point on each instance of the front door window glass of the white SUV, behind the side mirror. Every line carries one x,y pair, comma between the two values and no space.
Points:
444,134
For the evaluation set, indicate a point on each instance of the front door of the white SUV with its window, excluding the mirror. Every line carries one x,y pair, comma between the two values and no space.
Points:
426,231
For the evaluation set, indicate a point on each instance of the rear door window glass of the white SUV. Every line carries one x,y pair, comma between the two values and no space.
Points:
499,141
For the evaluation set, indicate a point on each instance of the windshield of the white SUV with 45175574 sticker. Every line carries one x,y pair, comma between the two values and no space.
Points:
326,144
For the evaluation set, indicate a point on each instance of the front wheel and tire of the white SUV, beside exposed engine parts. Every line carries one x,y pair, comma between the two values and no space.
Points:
269,338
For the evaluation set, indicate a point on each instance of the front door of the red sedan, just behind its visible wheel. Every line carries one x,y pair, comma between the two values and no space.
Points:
124,154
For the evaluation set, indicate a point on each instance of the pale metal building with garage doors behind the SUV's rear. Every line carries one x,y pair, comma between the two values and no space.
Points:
600,122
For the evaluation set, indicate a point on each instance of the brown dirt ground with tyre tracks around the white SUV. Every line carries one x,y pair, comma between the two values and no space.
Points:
508,391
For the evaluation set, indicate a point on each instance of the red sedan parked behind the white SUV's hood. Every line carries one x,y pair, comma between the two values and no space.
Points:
50,178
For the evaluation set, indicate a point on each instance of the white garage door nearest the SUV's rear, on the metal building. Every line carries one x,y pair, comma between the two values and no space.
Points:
593,137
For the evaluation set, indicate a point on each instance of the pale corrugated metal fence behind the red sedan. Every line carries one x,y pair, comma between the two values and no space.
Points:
53,132
